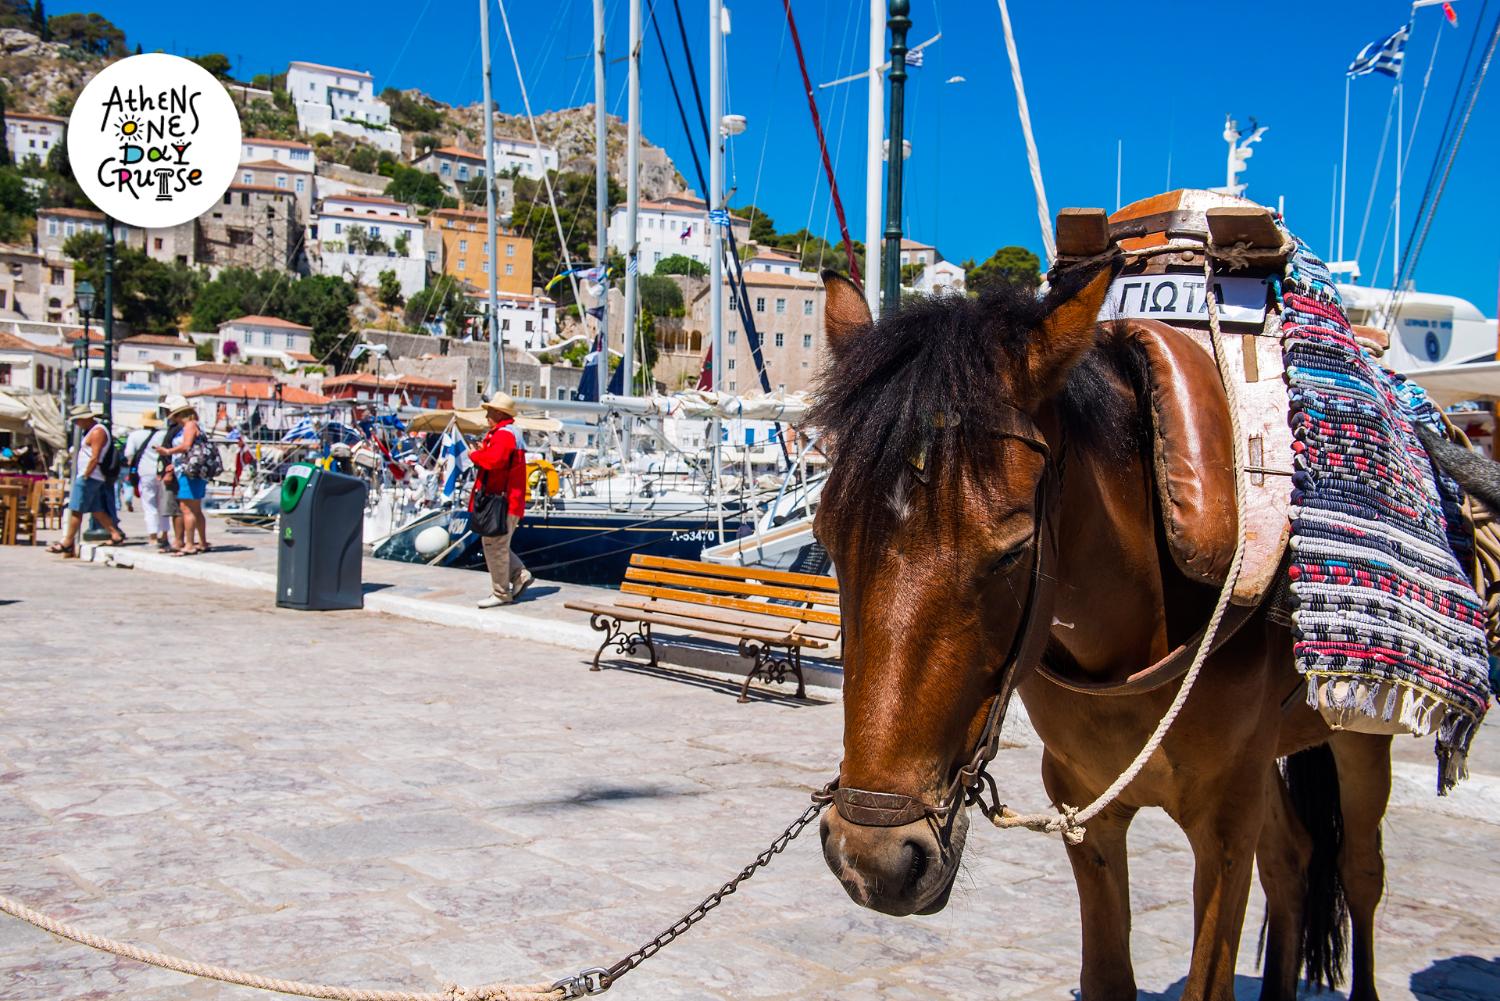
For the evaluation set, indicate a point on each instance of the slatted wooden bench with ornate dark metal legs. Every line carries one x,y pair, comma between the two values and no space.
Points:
773,615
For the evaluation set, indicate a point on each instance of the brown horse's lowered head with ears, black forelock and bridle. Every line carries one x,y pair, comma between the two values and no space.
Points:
944,469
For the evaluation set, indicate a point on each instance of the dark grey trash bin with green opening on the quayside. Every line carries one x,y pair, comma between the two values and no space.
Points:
320,541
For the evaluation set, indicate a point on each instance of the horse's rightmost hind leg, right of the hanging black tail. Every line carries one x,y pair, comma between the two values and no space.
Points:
1364,787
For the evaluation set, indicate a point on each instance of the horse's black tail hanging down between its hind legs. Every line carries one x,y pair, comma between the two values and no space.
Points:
1313,784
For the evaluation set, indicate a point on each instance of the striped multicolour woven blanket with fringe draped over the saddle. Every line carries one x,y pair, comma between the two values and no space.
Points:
1387,624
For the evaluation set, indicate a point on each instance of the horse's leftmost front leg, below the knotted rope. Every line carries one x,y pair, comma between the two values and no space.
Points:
1103,879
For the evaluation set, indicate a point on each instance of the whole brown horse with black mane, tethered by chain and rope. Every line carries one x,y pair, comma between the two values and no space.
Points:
994,505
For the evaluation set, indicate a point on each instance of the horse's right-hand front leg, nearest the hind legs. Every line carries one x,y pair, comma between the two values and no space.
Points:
1223,829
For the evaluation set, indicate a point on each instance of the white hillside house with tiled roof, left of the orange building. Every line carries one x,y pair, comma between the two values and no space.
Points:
361,236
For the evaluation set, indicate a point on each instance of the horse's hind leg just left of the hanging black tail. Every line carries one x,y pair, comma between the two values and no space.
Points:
1282,859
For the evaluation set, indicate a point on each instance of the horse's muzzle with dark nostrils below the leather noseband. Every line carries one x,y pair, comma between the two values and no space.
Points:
896,870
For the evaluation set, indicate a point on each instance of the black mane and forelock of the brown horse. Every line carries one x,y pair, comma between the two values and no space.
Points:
943,358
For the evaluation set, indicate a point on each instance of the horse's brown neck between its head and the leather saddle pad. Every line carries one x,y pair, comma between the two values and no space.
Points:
1109,609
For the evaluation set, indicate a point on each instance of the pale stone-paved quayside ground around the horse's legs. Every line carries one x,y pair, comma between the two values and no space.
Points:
359,799
